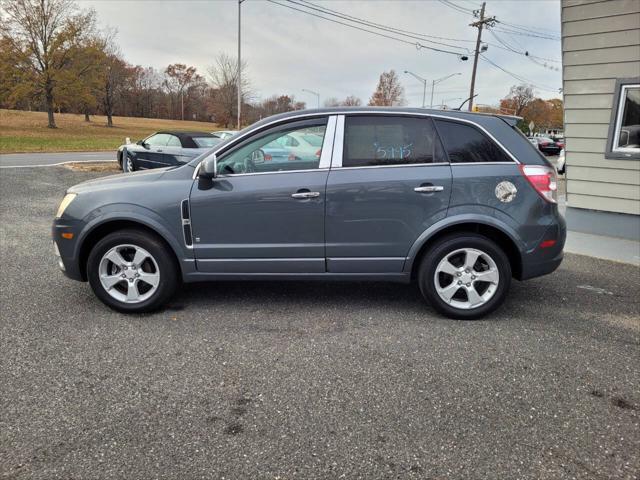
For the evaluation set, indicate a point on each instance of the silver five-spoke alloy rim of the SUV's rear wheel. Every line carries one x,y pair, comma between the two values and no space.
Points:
466,278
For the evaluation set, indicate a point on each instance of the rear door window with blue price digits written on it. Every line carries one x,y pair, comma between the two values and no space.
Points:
390,140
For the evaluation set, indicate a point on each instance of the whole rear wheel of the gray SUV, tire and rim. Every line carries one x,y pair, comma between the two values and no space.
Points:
465,277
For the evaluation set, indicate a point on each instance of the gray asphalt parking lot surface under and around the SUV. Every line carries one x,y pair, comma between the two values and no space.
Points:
308,380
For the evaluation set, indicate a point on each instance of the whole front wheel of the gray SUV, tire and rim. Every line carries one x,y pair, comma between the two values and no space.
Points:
132,271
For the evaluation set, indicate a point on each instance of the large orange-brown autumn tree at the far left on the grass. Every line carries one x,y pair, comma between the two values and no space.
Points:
42,38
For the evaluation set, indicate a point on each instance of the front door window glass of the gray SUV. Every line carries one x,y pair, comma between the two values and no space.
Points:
271,152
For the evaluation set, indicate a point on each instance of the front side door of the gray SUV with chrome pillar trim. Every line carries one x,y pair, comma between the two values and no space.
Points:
259,216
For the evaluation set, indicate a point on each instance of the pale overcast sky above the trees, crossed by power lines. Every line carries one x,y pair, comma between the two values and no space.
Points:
288,51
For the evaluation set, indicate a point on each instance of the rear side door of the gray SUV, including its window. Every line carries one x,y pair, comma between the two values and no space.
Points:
389,182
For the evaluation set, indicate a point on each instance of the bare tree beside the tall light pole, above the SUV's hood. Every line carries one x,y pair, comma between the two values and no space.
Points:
223,75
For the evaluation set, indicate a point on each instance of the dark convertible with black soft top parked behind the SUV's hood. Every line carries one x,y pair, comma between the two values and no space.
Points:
163,149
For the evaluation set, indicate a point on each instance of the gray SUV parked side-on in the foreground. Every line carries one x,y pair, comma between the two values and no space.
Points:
457,202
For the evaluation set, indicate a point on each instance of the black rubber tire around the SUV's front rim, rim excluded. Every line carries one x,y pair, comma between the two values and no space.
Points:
163,256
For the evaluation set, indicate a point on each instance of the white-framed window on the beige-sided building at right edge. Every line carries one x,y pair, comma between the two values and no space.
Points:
624,136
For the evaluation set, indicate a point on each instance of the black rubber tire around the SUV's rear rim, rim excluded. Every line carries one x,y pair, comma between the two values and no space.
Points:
444,247
